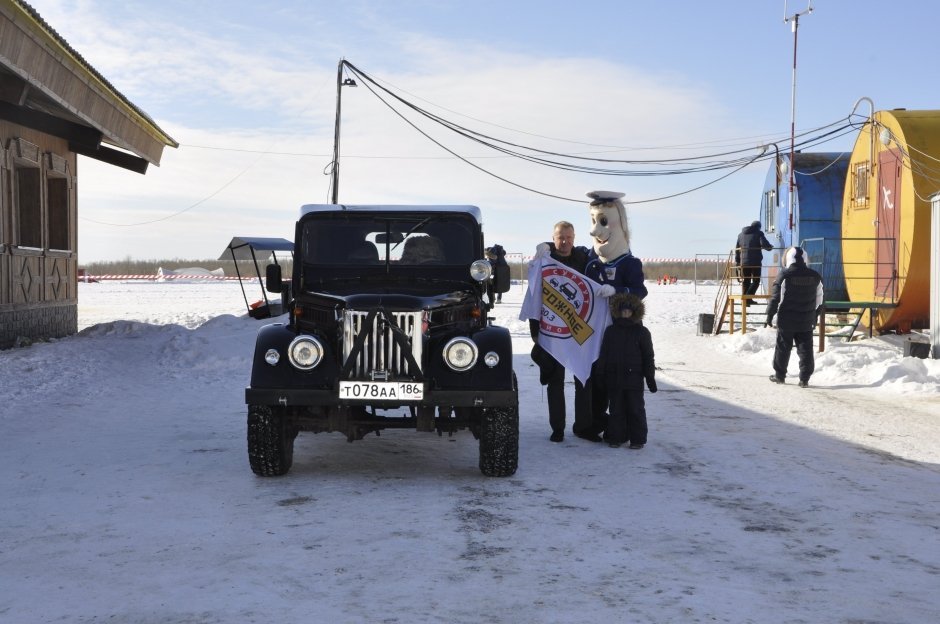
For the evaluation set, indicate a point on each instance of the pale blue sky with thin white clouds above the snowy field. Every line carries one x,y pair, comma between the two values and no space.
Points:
249,91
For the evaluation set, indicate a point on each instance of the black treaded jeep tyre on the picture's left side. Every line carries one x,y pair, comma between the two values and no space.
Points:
270,440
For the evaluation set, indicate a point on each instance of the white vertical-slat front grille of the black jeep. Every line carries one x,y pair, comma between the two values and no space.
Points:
381,356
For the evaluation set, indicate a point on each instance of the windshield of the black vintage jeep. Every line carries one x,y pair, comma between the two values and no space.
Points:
365,247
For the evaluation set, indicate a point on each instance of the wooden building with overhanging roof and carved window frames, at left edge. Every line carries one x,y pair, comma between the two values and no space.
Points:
53,106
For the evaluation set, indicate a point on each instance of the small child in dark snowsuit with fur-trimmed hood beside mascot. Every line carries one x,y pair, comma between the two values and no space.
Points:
625,362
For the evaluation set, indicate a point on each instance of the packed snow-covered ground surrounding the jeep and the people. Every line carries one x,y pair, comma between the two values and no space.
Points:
127,495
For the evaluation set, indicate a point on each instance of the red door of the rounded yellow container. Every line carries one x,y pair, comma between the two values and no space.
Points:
888,224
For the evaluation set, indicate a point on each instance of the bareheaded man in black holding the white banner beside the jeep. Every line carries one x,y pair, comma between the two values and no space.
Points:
551,373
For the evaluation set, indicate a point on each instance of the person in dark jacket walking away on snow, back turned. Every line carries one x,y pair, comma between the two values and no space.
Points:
795,300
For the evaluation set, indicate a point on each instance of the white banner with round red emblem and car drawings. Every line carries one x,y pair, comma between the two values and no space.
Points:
572,318
